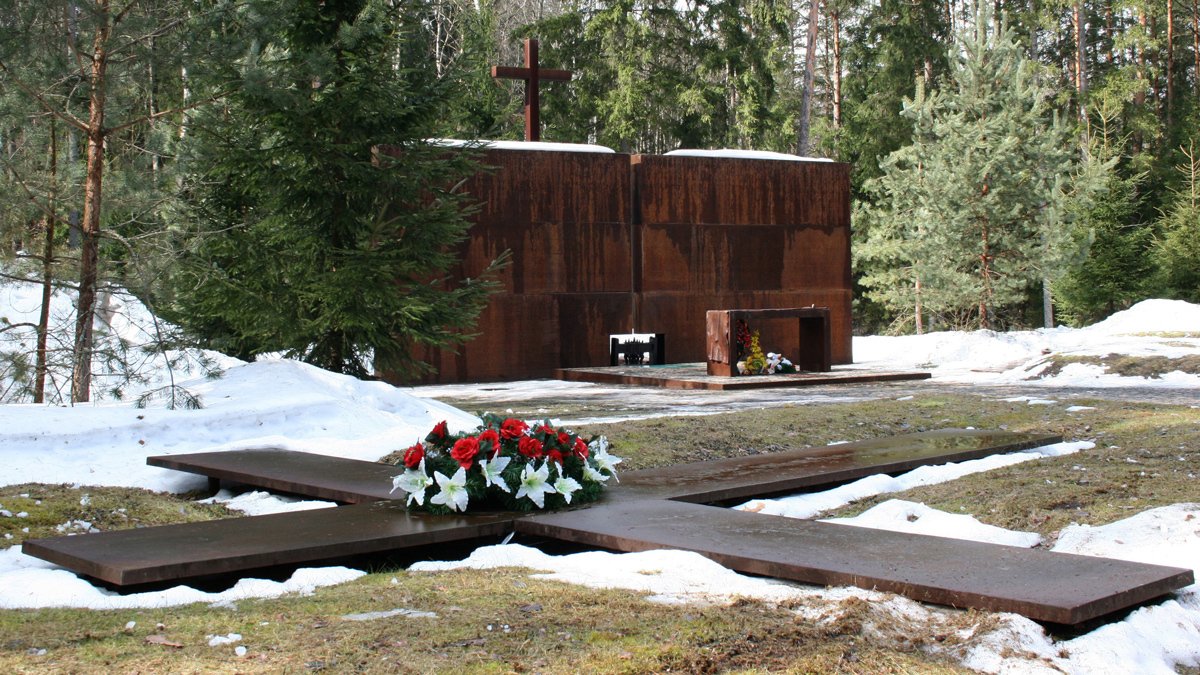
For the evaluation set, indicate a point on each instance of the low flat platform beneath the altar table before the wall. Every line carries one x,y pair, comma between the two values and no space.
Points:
695,377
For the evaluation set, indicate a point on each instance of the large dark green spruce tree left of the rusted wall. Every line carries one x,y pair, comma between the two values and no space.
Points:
315,241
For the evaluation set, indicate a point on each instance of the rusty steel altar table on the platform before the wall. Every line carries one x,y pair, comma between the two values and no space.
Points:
814,354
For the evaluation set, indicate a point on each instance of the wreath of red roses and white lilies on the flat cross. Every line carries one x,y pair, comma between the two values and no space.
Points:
505,465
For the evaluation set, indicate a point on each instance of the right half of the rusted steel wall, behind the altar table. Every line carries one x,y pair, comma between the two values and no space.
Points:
740,234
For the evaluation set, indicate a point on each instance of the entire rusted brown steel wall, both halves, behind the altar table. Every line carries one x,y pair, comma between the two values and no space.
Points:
611,243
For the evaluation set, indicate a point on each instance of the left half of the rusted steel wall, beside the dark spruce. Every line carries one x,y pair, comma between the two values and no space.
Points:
566,217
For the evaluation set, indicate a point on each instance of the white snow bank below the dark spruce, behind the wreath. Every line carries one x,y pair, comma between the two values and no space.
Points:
267,404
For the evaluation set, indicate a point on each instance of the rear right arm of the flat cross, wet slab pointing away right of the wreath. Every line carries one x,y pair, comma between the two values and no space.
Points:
778,474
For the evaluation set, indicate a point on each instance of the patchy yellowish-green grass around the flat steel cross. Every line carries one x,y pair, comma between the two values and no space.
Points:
1145,457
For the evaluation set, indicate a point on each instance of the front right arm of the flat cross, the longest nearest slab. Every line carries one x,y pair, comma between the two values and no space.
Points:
1041,586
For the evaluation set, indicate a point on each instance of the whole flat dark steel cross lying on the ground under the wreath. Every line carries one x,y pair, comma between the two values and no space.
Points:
649,510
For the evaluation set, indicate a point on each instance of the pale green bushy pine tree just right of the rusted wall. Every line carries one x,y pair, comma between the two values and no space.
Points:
976,210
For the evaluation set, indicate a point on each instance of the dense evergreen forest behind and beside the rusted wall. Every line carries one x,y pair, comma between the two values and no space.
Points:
1015,164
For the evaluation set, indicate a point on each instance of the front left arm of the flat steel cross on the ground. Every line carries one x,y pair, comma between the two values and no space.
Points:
220,547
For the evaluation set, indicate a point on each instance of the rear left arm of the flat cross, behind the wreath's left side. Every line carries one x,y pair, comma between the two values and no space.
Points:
309,475
